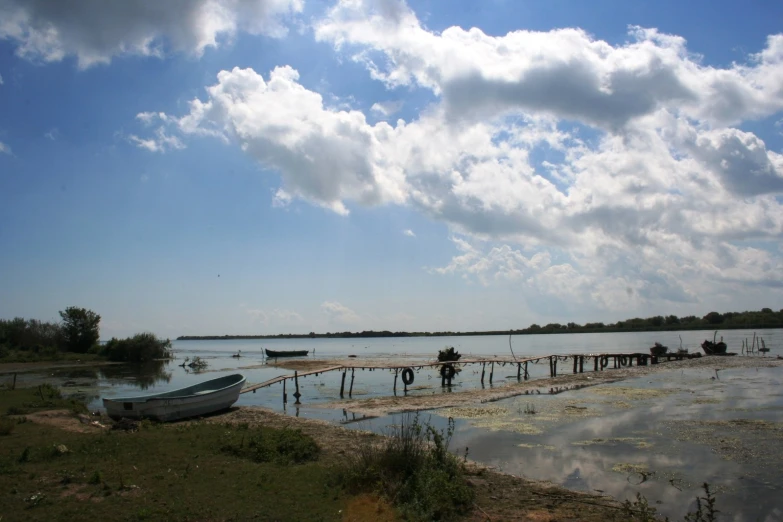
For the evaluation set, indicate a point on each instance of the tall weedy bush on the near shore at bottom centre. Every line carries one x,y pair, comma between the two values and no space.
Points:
414,469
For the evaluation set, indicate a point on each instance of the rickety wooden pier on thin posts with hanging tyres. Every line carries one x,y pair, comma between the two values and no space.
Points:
601,361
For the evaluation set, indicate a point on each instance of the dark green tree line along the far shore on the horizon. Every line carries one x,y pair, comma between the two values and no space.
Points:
764,318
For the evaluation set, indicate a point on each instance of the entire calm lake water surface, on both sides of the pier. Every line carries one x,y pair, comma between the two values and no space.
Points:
621,447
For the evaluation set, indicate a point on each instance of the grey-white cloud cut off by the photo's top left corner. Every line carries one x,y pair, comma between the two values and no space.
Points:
94,31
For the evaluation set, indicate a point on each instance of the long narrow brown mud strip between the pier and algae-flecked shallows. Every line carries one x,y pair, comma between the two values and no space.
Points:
394,404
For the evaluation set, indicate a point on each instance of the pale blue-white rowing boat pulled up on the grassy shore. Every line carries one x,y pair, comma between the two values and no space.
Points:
200,399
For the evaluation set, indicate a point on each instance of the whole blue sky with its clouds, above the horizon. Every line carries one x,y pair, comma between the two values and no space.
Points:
283,166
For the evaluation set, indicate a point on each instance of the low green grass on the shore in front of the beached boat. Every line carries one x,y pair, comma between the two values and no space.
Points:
161,472
